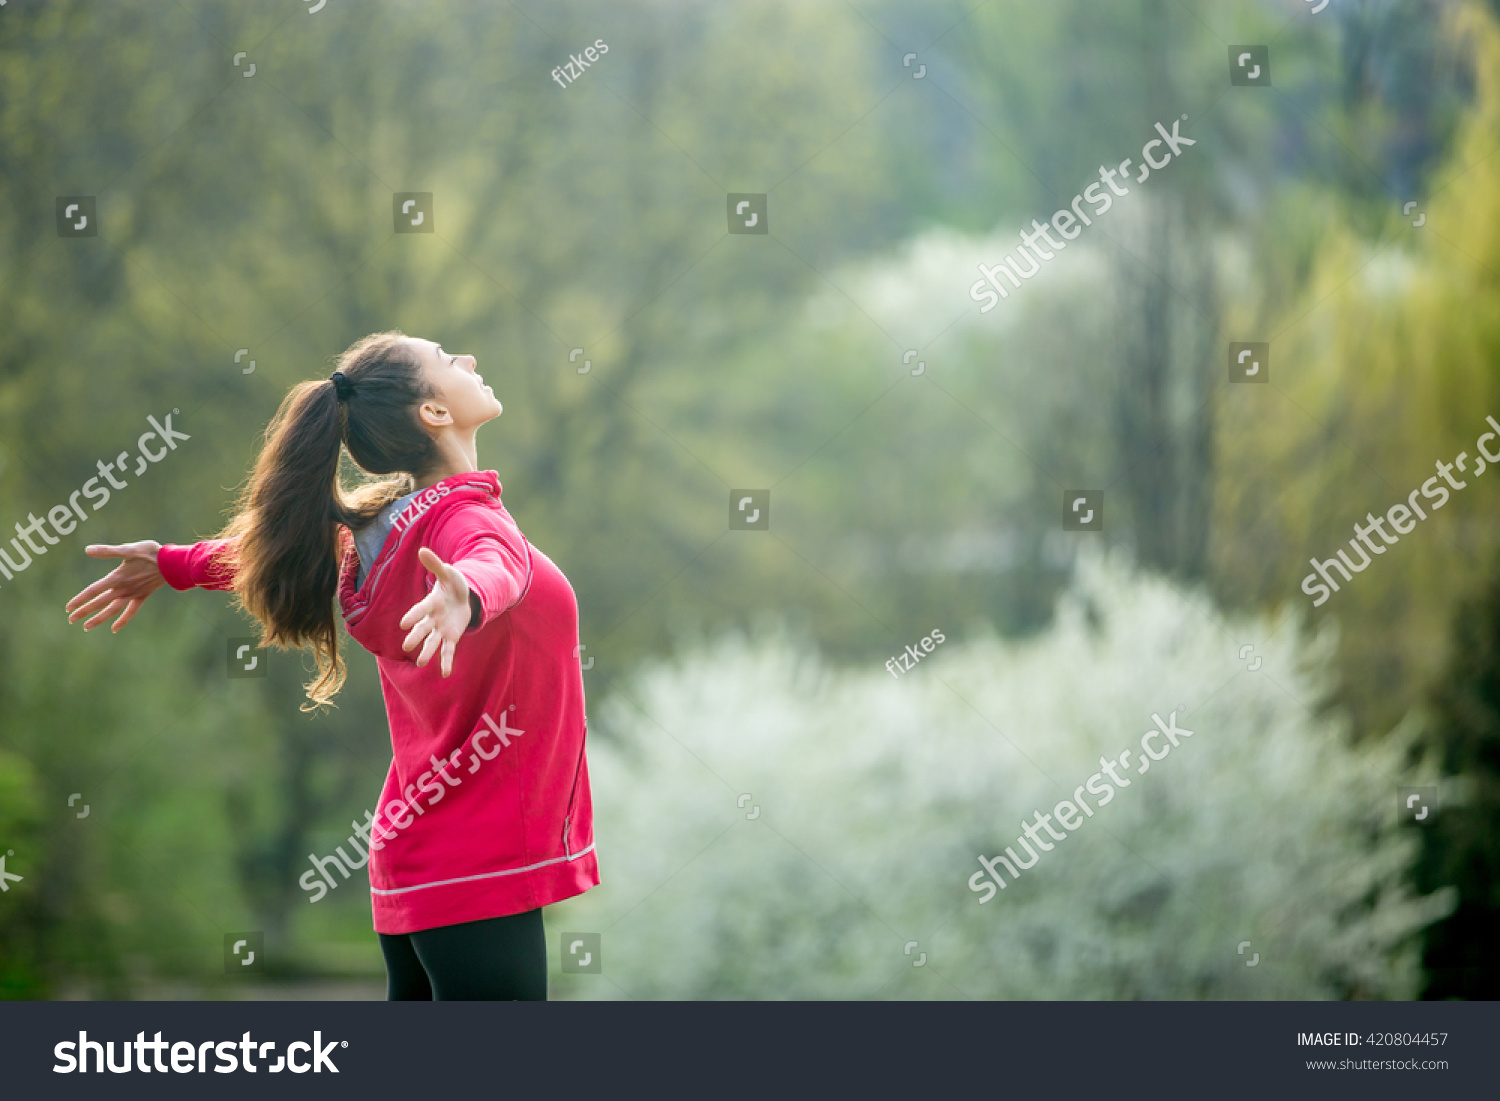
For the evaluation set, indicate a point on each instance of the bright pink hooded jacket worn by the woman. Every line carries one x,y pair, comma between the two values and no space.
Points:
487,808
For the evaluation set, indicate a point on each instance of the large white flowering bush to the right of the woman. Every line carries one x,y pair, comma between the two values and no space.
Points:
770,827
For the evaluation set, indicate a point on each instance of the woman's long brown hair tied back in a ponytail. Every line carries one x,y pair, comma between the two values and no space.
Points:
286,529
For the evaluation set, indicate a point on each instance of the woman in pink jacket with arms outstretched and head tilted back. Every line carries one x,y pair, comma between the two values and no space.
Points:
485,817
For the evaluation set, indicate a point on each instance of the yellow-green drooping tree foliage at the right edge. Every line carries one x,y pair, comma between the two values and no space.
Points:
1384,365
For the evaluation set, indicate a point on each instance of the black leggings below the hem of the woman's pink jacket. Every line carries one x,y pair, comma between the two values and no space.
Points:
493,961
